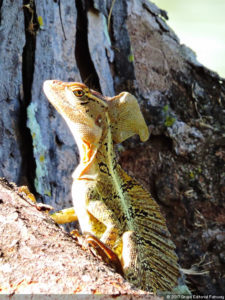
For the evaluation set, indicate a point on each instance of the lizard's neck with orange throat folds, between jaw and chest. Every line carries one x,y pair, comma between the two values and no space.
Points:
96,160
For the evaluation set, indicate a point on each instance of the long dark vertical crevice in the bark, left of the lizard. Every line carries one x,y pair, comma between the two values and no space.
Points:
28,61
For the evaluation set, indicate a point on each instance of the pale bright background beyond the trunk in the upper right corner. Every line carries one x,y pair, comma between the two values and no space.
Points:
201,26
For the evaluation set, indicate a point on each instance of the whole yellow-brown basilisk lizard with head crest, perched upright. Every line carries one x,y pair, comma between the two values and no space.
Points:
108,203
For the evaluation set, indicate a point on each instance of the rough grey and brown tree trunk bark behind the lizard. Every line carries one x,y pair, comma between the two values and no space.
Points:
114,46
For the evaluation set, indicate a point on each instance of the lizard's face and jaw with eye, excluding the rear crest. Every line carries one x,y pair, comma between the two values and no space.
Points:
83,109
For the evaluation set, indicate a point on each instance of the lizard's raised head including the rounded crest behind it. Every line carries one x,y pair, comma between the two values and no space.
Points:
89,114
